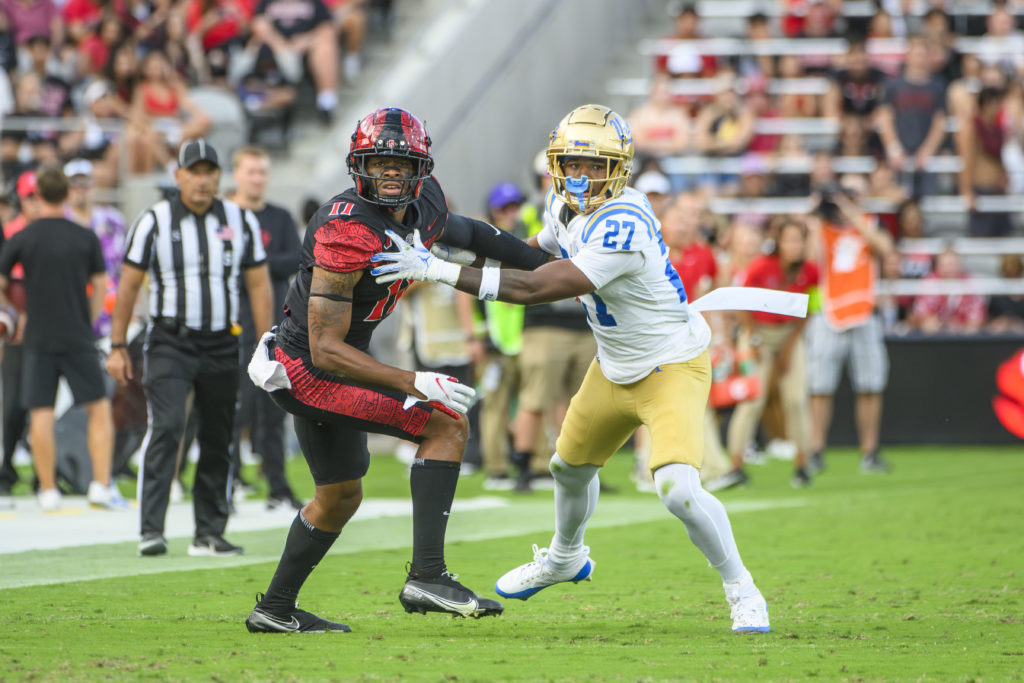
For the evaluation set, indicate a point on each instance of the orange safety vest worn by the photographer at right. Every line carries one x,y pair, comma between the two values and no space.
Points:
848,277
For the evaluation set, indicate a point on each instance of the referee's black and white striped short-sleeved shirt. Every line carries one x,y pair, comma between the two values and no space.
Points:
195,263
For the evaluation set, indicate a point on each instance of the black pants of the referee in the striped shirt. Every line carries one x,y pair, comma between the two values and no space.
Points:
176,366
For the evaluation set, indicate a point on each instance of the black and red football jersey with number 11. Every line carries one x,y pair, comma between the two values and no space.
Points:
343,237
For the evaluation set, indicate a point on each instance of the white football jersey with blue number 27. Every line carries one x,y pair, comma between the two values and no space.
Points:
638,312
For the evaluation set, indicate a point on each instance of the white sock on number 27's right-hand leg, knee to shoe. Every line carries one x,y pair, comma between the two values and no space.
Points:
705,518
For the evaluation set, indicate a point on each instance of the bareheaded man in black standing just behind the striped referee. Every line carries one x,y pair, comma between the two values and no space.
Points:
257,411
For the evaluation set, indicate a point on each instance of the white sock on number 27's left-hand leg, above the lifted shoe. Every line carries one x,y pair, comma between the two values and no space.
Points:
577,489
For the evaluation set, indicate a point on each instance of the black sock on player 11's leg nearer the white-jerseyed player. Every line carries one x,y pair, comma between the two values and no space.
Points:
433,484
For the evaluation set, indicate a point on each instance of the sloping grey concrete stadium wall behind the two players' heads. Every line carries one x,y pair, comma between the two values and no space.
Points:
491,79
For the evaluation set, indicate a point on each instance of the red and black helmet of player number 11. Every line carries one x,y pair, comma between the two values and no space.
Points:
391,133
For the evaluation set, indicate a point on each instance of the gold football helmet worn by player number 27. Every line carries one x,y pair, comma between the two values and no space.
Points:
591,131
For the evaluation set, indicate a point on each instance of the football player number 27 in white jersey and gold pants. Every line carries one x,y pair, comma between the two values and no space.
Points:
653,366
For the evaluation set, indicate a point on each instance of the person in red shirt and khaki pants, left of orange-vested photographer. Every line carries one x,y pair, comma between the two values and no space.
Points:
778,345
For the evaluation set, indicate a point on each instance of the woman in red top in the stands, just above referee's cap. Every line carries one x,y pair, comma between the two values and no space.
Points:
162,115
